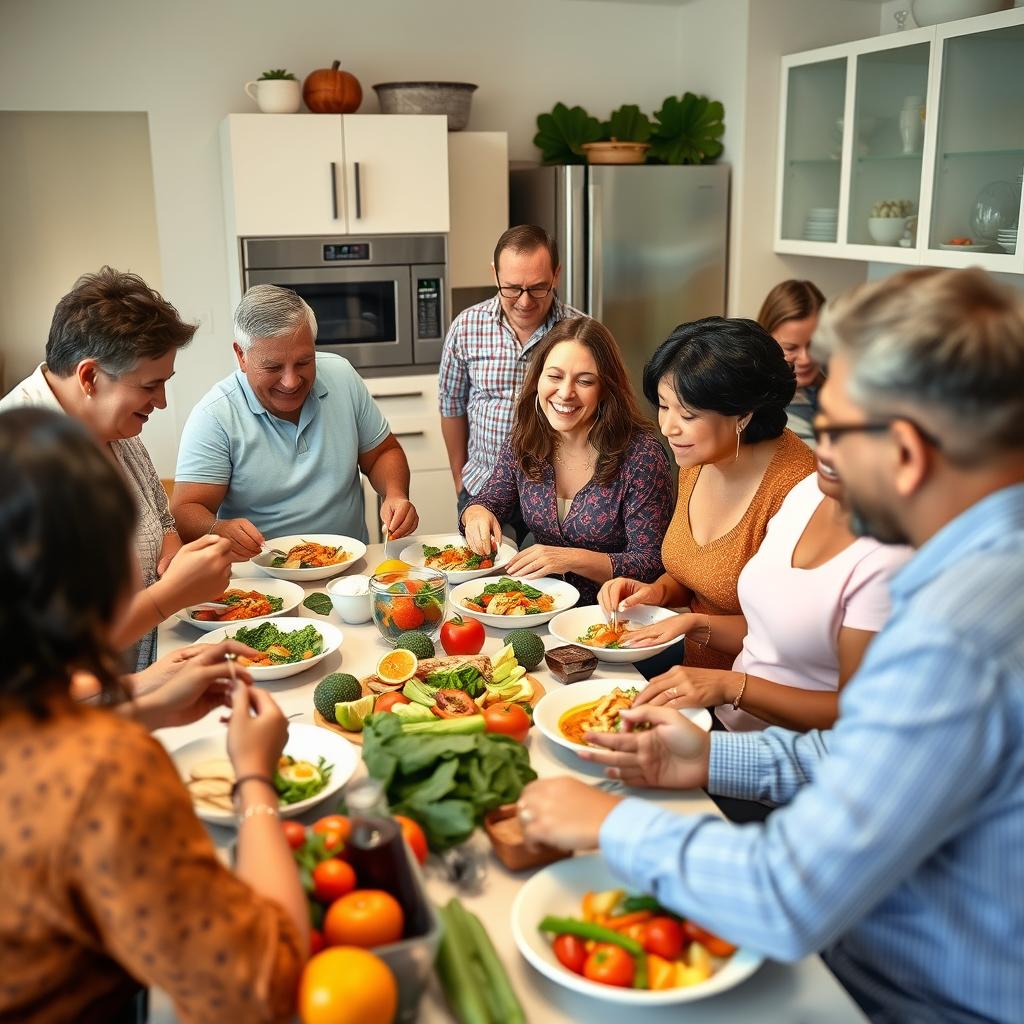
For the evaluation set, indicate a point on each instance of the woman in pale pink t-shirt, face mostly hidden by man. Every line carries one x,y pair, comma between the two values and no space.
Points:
813,596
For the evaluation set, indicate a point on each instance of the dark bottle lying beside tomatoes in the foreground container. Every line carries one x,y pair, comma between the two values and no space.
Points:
377,851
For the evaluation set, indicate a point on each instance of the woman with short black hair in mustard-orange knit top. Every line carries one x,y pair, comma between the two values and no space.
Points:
721,388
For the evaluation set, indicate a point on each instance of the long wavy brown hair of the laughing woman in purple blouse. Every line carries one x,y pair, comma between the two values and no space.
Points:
619,421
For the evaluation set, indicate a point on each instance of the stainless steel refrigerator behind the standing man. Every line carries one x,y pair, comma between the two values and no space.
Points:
643,248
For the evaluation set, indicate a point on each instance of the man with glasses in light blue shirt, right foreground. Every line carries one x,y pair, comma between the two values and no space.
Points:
900,851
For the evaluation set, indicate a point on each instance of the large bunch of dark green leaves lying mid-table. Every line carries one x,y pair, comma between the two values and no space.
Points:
446,783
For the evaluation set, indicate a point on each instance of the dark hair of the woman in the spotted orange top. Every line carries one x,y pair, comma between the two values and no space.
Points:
67,521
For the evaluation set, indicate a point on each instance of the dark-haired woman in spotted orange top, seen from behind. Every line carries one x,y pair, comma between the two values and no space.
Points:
109,879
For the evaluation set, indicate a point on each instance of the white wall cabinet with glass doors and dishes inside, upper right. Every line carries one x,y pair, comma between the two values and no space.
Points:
929,117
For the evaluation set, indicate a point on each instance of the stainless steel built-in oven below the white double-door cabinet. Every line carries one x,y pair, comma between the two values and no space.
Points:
380,302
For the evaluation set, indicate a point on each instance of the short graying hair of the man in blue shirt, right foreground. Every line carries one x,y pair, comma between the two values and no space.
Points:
944,348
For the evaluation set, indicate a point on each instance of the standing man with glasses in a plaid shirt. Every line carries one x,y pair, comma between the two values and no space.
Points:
487,352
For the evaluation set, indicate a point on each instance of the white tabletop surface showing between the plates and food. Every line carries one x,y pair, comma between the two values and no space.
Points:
801,993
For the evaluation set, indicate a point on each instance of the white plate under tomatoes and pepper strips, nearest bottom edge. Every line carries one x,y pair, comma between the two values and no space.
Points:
559,890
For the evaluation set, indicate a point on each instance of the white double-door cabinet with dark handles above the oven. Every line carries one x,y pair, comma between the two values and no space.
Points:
334,175
